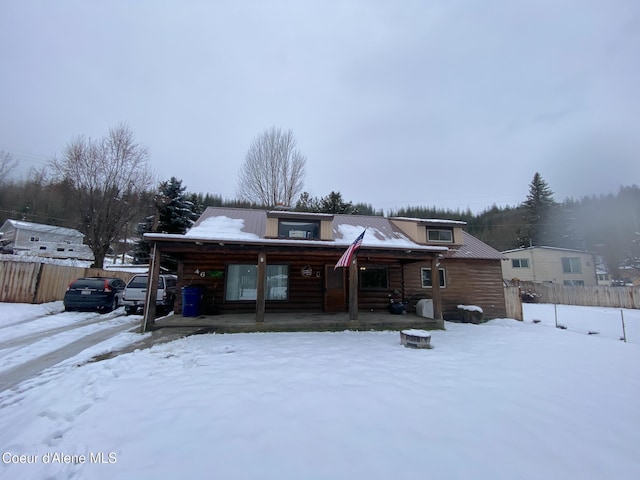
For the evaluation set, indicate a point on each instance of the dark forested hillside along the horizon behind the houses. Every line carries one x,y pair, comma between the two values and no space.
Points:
608,225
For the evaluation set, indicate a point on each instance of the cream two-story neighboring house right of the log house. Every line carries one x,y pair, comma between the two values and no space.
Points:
551,265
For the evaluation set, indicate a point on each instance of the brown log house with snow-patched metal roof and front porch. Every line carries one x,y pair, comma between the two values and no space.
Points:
228,251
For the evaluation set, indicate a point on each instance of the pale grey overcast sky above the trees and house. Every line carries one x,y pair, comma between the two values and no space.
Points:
443,103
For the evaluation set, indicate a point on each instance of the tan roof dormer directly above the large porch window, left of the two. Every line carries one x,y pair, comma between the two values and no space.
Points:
299,225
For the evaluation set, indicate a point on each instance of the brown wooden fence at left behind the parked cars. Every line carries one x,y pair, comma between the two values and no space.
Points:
33,282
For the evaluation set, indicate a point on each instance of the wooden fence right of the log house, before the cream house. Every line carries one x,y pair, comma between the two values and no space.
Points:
600,296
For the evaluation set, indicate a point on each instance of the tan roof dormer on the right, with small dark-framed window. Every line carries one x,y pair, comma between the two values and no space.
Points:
431,231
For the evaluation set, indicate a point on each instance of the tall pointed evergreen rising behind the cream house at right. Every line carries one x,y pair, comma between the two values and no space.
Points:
538,208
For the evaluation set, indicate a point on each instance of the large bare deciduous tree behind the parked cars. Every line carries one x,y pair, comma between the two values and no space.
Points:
108,177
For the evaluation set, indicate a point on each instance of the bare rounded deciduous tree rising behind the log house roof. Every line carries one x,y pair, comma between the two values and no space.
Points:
273,171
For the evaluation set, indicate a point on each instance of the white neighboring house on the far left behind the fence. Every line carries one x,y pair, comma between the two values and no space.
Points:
44,240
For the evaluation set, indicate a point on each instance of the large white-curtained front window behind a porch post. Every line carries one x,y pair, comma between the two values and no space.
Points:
242,282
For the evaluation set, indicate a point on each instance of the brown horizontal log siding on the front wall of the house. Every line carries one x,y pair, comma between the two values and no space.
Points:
477,282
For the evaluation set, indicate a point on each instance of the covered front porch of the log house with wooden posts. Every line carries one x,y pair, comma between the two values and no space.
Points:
318,297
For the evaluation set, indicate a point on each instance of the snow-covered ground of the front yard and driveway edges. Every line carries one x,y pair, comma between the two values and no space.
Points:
501,400
